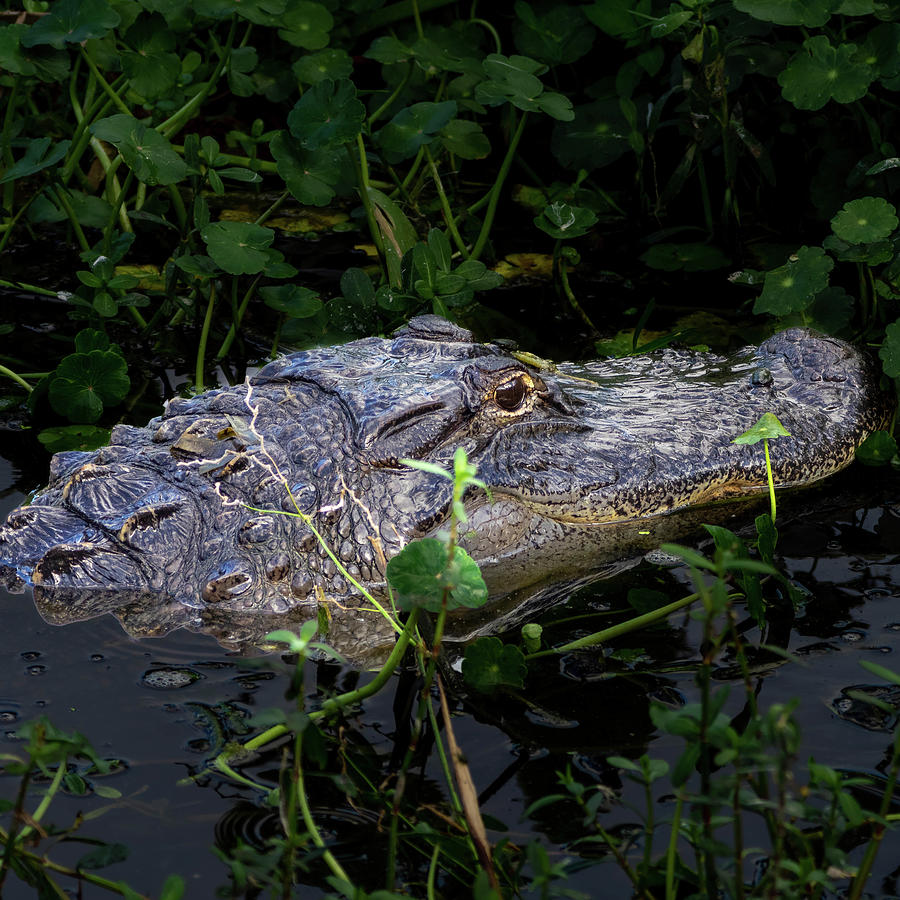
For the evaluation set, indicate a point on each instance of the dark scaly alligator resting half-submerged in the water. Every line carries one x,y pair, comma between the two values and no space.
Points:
191,521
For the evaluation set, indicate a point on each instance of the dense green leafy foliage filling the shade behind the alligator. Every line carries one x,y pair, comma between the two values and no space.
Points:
721,136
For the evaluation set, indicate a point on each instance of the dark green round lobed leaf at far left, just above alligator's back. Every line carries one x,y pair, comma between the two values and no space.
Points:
84,383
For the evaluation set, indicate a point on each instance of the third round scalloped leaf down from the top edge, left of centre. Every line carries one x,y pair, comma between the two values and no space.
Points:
328,113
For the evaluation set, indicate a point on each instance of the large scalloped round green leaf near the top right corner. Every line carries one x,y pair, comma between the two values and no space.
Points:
820,72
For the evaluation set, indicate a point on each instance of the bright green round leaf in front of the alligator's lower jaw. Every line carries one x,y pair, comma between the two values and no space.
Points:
421,573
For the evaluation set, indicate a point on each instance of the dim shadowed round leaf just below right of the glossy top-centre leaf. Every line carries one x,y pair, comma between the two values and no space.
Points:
597,135
